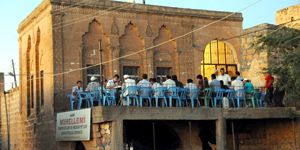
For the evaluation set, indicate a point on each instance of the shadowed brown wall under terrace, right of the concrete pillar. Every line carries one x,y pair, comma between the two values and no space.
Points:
264,134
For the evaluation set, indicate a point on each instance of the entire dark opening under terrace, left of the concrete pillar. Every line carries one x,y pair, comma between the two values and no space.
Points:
169,135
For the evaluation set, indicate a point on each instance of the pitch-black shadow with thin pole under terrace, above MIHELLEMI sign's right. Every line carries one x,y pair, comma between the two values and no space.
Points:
140,135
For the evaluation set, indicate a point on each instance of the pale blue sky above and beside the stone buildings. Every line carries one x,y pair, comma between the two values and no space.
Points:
12,12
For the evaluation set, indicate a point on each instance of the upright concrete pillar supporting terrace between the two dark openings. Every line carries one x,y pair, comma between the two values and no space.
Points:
221,134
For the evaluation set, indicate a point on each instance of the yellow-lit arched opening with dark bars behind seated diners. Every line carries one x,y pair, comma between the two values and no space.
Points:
217,55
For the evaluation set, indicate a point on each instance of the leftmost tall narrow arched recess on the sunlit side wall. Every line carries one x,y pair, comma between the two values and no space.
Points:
28,98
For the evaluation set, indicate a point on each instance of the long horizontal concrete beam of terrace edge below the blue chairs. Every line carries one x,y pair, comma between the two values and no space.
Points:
103,114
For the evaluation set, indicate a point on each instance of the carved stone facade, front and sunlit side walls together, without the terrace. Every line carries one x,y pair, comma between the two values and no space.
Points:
60,37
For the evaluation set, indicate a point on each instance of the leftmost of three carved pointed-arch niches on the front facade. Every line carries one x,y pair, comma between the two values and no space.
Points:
91,53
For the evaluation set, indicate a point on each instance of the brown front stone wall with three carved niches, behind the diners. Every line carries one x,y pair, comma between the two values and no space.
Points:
143,25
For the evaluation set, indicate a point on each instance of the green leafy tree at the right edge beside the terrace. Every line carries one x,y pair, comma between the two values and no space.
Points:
283,48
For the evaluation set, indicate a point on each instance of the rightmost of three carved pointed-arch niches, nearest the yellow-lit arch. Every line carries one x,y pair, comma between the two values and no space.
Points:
166,55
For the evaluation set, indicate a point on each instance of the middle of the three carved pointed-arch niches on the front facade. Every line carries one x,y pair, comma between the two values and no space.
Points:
131,42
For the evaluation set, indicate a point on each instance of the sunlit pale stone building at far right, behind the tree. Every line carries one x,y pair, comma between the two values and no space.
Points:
253,63
